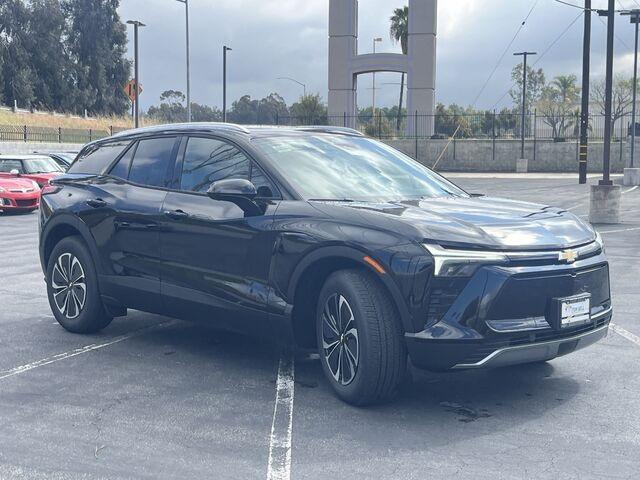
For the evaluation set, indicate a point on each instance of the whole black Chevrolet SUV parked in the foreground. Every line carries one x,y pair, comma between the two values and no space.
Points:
320,238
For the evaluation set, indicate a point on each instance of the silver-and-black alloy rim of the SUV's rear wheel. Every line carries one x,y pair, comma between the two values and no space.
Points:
69,285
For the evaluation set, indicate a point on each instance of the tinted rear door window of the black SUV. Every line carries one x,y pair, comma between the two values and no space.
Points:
151,162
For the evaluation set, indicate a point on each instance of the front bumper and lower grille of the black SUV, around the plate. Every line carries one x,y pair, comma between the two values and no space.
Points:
502,316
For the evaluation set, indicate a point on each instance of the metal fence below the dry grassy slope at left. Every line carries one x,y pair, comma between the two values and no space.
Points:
26,133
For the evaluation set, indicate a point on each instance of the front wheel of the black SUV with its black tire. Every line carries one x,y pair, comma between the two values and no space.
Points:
381,358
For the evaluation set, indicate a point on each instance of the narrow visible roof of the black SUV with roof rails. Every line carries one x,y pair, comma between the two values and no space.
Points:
230,128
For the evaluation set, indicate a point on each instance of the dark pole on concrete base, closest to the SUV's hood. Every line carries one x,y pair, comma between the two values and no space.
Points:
604,205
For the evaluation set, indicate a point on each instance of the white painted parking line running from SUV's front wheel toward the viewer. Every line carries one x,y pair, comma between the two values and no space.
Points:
281,428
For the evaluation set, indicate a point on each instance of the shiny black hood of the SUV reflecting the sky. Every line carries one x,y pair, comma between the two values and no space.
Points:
479,221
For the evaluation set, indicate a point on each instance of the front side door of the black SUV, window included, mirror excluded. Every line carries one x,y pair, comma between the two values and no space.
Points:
216,260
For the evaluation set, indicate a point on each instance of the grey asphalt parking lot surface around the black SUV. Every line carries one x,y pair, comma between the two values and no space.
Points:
155,398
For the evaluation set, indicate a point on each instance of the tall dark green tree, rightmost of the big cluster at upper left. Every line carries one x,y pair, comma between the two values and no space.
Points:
97,42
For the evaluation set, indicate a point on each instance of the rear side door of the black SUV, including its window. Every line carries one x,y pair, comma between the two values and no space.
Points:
124,218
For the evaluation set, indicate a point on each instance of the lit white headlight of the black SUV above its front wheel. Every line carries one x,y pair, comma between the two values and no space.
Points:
461,263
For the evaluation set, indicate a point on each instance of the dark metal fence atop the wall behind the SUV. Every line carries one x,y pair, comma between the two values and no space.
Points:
469,126
